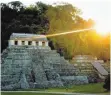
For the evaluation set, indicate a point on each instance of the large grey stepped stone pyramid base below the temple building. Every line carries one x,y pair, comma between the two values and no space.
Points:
25,67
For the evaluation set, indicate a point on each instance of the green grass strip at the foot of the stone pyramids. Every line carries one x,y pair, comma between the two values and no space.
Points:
87,88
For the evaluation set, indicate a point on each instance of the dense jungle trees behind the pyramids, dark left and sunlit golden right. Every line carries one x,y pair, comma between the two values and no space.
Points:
50,19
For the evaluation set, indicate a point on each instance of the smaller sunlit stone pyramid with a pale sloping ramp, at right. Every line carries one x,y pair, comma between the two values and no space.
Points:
94,69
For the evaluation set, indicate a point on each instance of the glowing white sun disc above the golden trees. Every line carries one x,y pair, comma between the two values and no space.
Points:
102,29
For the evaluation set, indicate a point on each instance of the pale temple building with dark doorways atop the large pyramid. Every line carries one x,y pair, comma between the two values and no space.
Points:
21,39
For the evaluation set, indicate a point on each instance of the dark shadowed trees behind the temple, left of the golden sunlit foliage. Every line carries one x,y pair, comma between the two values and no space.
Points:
20,19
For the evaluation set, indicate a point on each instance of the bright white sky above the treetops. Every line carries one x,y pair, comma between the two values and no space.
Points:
98,10
